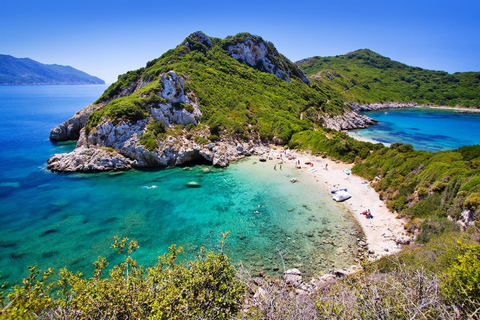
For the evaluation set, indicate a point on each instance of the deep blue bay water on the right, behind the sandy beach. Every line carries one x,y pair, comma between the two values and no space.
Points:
426,129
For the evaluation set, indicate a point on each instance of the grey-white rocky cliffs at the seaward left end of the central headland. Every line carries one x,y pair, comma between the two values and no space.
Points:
116,145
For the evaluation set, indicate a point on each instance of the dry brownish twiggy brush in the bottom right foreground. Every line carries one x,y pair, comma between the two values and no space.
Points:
404,293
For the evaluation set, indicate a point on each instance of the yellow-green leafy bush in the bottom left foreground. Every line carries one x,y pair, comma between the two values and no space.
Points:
205,288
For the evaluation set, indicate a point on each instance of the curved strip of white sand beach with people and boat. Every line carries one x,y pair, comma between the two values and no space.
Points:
384,229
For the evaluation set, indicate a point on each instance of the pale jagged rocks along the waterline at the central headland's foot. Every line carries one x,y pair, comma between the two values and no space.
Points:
118,148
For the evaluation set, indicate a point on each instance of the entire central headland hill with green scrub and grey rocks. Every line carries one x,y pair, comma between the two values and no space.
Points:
207,100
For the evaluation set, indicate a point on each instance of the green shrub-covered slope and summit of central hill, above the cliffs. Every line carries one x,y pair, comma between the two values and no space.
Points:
250,100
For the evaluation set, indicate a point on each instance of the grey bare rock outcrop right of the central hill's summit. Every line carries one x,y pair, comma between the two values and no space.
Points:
255,52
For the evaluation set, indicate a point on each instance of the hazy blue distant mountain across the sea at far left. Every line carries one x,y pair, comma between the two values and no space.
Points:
25,71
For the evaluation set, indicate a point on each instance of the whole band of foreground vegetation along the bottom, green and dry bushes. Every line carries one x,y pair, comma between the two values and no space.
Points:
209,288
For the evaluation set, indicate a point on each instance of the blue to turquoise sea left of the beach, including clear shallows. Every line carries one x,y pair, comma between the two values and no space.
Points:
68,220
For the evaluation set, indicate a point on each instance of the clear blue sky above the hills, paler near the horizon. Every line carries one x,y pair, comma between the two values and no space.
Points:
107,38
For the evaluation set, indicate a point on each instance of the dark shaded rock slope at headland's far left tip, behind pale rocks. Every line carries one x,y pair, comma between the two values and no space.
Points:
70,129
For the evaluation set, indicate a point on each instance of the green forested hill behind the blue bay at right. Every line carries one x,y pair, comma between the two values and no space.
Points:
364,76
